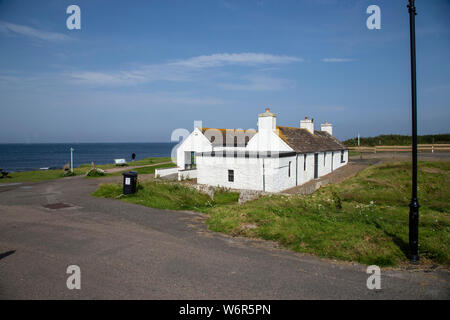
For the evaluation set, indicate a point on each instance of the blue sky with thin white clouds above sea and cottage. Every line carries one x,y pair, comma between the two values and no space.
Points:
137,70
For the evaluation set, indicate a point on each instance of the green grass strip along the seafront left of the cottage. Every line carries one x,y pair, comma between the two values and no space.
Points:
40,175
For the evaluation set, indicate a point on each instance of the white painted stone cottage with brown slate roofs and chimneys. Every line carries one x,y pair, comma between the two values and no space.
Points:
272,159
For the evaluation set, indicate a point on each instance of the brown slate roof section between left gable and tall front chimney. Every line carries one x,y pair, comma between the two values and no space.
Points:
228,137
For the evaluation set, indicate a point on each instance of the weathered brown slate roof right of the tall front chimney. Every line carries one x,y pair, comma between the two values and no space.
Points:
302,141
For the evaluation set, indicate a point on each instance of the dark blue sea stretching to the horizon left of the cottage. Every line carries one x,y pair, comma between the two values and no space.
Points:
36,156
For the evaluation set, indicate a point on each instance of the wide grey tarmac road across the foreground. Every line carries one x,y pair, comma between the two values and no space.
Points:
129,251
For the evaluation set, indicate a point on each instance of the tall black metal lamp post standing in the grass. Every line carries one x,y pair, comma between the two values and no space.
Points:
414,204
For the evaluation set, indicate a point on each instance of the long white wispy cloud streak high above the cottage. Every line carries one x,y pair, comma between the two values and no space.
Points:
183,70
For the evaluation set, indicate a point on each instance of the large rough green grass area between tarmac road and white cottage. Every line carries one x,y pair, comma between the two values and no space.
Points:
363,219
